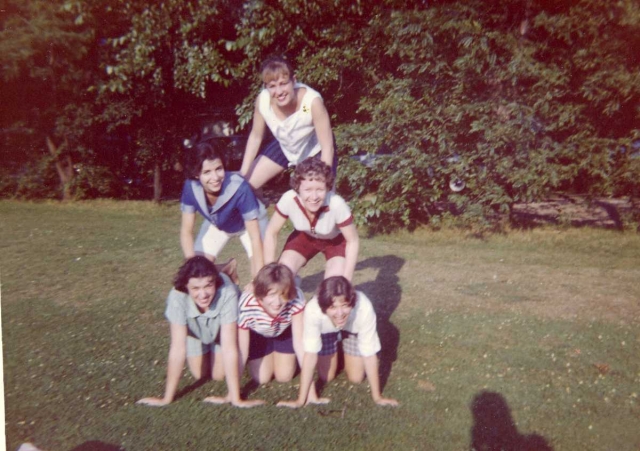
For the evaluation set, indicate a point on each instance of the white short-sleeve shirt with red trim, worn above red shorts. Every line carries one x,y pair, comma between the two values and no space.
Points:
334,213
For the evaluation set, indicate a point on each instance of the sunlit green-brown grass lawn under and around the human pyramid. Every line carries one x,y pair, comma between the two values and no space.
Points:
529,340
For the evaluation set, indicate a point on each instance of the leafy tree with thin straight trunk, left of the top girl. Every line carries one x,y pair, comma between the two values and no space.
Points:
169,63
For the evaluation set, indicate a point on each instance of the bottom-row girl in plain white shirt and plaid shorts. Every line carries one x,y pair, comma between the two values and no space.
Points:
340,313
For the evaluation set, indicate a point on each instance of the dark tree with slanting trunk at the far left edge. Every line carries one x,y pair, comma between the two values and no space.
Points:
44,48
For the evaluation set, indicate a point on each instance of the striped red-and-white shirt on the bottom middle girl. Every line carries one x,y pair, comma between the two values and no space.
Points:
252,315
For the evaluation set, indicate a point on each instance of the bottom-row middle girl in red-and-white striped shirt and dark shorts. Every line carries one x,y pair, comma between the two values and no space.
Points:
270,326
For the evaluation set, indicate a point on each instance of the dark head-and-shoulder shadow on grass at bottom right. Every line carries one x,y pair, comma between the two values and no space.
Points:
494,428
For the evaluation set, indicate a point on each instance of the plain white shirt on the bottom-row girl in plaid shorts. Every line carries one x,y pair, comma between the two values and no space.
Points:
361,322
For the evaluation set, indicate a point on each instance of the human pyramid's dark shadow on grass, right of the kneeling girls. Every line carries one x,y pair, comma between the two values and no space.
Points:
385,294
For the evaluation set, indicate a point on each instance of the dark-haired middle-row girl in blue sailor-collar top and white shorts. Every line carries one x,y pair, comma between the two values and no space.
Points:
226,202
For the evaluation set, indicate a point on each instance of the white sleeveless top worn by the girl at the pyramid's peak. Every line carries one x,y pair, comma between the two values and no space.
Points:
296,134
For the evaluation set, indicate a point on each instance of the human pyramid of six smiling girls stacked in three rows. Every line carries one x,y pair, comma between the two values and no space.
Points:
270,326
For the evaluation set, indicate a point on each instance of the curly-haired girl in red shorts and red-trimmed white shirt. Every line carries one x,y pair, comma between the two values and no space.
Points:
322,221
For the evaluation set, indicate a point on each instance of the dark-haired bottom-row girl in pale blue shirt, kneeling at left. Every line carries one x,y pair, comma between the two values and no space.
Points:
202,310
